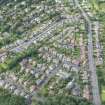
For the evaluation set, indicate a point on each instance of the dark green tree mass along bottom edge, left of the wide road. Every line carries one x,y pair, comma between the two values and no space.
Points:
63,100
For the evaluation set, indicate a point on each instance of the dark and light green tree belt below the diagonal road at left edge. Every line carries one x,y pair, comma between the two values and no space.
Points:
13,61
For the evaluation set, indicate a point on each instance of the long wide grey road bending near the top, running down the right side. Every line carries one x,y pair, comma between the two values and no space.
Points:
93,77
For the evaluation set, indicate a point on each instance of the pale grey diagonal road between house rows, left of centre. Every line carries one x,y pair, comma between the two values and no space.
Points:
36,37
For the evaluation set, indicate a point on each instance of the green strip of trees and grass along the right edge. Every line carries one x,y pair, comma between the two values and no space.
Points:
101,69
